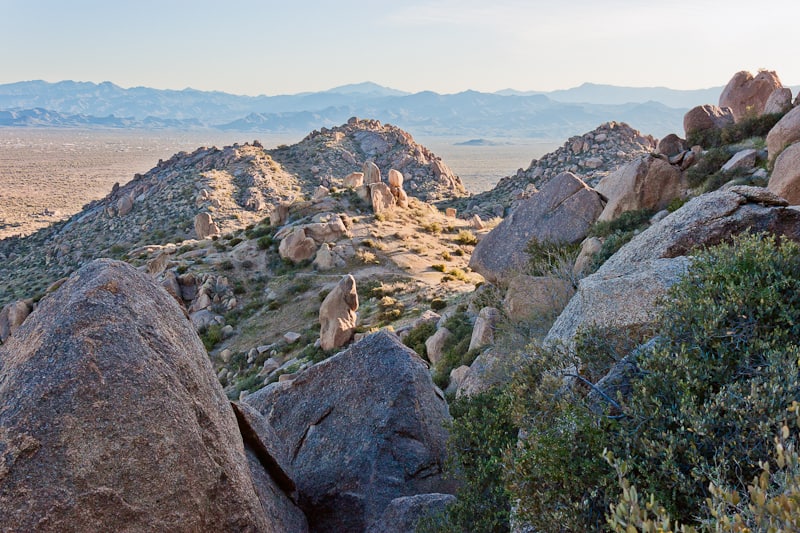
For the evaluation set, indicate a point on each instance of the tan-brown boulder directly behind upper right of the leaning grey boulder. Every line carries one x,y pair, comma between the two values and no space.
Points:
644,183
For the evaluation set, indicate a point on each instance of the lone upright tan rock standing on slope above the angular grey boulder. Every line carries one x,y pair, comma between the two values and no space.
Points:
337,314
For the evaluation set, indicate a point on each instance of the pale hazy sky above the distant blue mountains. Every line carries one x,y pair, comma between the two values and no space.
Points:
289,46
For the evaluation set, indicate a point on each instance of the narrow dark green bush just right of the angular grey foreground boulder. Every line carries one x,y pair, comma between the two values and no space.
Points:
482,432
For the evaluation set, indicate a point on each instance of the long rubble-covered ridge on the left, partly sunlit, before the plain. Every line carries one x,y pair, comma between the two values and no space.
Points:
228,188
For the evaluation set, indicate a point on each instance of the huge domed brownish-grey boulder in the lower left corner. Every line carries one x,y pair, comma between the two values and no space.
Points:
111,418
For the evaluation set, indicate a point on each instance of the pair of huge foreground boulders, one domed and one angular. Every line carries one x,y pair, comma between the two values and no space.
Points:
111,418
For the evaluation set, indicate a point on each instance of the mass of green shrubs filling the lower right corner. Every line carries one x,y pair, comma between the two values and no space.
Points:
705,399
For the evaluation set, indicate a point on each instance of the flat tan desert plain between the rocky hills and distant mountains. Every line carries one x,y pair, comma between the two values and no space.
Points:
47,175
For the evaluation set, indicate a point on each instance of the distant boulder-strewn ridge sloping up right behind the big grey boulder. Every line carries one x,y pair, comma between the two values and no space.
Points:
591,156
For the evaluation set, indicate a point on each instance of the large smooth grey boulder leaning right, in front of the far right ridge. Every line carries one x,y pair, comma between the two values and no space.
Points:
562,211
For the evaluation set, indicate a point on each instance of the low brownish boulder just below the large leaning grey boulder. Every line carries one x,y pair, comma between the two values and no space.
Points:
536,296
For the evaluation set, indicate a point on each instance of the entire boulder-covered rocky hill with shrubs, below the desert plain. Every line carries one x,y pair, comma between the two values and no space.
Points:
298,339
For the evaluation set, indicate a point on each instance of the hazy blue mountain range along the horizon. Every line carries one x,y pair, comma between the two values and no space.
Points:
508,113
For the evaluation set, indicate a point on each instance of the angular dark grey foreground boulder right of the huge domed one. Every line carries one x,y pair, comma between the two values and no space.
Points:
363,427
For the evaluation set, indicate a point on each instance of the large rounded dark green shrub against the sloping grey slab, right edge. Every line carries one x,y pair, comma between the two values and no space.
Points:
718,383
